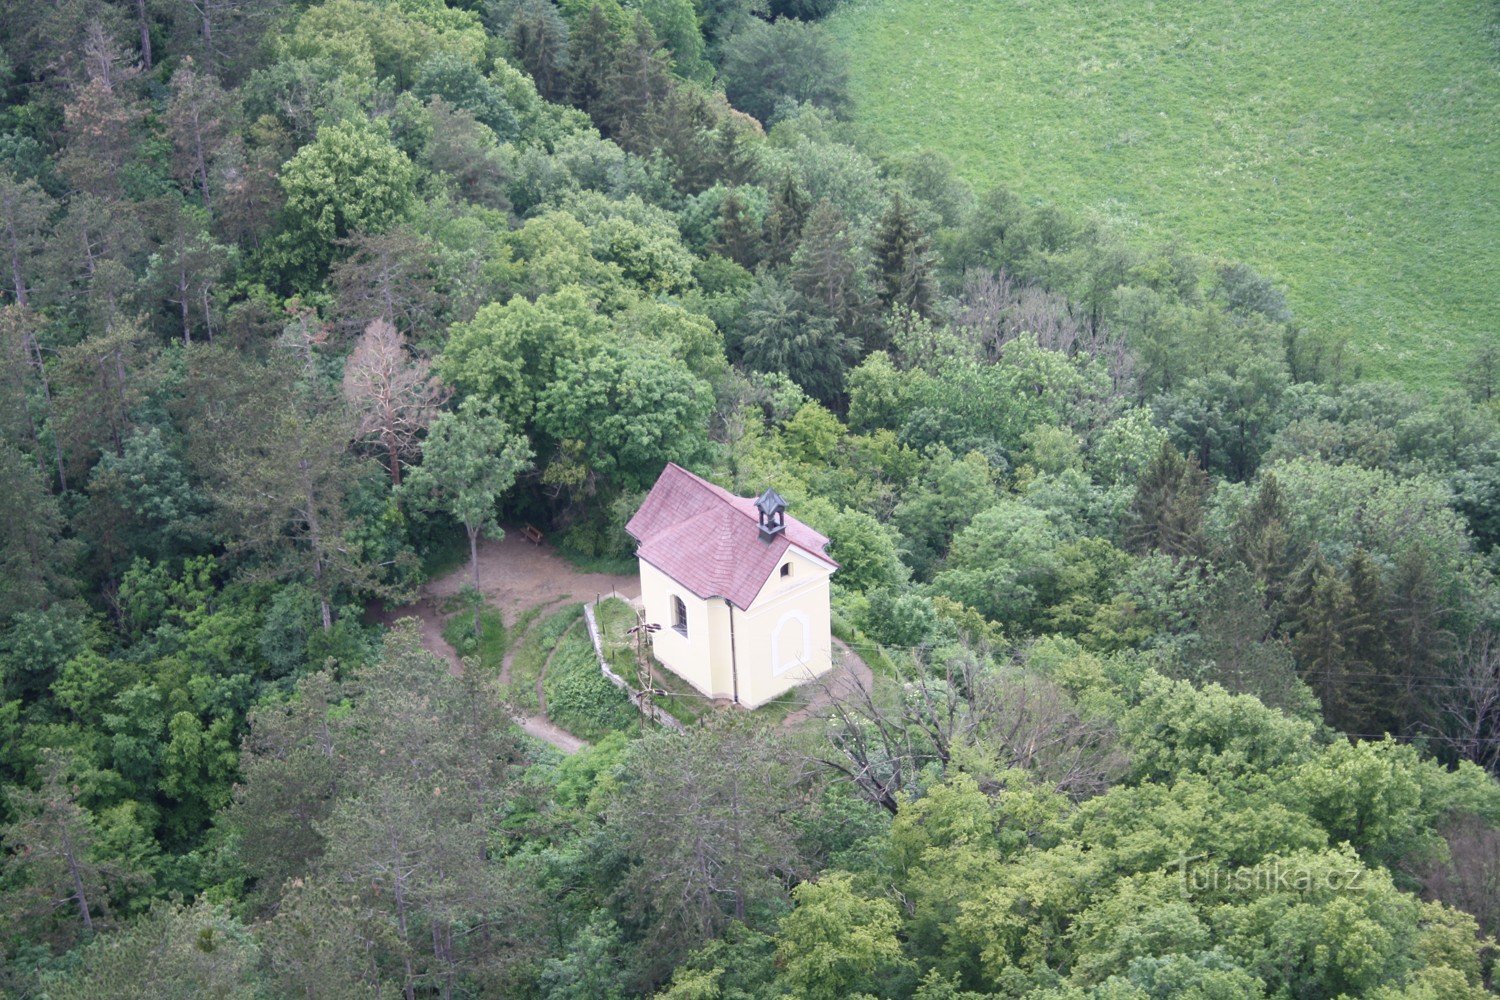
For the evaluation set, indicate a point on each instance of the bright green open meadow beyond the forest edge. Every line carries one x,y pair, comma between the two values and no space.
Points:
1345,148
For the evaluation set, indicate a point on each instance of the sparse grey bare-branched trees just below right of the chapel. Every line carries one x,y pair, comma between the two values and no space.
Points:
881,737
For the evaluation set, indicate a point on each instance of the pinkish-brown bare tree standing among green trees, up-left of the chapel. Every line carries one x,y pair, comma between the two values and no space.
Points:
394,394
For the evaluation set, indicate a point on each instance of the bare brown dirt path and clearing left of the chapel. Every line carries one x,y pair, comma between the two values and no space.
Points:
514,576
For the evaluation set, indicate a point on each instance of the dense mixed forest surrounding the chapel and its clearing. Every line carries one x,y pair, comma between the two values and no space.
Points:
1184,632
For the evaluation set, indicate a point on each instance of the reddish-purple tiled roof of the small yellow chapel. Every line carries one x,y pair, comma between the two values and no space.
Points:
709,540
